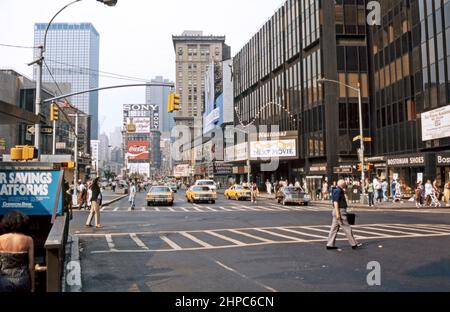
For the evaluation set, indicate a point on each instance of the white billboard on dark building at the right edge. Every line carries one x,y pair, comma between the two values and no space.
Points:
436,124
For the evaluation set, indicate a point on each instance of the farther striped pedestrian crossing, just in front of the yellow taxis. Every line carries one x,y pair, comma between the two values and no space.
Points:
195,208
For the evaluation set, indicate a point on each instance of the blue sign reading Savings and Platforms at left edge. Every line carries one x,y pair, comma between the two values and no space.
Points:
34,193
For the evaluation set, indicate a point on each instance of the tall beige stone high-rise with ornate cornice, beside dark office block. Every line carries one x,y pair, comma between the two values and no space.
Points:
194,52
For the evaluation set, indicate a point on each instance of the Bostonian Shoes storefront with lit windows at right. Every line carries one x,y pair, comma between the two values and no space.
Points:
409,169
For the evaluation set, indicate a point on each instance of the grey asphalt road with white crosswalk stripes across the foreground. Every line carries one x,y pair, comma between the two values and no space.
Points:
239,246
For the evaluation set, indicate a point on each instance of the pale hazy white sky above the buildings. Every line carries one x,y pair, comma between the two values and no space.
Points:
135,36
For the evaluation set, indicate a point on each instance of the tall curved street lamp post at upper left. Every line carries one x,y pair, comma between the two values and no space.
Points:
39,61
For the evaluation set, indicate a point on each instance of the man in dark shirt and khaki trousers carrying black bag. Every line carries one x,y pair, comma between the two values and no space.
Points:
340,218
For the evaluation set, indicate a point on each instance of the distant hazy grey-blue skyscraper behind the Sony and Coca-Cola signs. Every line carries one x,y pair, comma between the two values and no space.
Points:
157,95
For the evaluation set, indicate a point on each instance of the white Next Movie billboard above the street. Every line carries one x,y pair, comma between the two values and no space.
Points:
274,148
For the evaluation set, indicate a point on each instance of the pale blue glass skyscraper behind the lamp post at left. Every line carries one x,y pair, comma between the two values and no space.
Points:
72,56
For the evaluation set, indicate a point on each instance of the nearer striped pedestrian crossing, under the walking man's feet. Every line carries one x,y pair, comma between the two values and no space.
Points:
177,241
